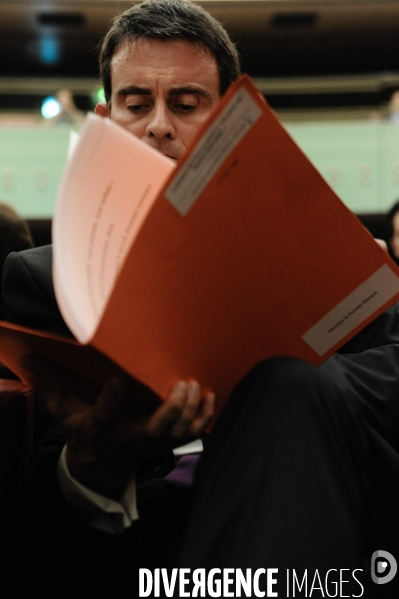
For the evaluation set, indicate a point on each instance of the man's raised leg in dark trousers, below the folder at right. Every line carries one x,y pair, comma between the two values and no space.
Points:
295,477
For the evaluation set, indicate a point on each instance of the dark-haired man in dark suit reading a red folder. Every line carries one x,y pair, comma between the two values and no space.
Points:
300,473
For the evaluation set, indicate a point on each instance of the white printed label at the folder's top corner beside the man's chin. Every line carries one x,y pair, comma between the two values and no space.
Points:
229,128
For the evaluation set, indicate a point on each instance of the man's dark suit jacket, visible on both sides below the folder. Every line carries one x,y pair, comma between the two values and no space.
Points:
94,564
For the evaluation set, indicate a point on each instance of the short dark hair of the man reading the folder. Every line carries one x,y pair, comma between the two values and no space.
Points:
168,20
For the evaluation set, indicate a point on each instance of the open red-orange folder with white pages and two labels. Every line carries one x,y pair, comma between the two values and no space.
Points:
239,253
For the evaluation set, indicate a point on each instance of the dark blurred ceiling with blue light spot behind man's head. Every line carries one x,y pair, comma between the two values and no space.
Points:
277,39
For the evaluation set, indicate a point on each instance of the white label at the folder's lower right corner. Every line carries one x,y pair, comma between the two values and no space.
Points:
353,310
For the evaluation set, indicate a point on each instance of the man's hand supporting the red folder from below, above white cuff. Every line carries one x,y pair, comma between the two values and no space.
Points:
108,439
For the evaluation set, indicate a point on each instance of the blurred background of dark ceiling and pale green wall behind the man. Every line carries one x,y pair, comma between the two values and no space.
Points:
329,68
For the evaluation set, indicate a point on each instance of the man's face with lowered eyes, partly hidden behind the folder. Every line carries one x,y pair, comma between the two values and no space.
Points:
162,91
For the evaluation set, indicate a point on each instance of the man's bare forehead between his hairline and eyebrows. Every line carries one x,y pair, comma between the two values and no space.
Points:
171,63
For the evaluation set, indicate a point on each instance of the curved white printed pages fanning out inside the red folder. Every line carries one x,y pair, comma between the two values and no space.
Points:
109,184
